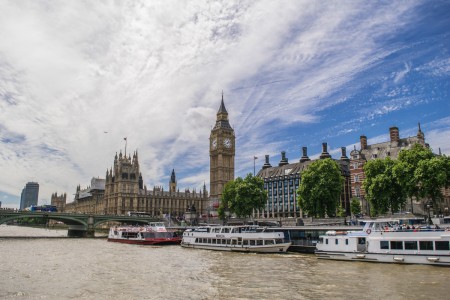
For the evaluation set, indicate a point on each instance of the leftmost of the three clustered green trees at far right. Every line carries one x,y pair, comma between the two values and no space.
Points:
383,191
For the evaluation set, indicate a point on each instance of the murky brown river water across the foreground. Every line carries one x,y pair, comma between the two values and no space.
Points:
66,268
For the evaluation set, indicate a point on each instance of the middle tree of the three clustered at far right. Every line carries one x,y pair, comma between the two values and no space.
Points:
404,171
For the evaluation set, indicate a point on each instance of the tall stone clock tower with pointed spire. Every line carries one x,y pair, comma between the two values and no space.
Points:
221,153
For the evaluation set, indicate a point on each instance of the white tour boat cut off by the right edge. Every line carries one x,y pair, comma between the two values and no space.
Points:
388,241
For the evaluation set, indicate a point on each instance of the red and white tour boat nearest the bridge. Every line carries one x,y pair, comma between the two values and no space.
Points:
153,234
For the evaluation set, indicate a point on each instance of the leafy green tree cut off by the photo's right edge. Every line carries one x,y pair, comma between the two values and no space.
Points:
432,175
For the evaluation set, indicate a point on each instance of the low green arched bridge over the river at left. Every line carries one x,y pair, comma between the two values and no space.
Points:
79,225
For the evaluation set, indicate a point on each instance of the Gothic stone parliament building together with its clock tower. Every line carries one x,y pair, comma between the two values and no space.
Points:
123,190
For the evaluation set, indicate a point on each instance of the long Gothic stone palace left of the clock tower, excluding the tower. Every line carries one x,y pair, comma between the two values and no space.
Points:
124,191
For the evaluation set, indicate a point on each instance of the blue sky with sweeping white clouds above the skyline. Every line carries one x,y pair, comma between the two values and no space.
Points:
76,77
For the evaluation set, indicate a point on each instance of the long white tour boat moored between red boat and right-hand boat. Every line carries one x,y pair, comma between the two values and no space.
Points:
235,238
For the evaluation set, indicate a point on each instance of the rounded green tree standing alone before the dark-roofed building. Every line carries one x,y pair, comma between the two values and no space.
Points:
320,188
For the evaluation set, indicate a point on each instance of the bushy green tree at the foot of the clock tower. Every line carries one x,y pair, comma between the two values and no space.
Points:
242,196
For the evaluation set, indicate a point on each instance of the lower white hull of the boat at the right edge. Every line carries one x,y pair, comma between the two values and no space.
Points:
424,259
